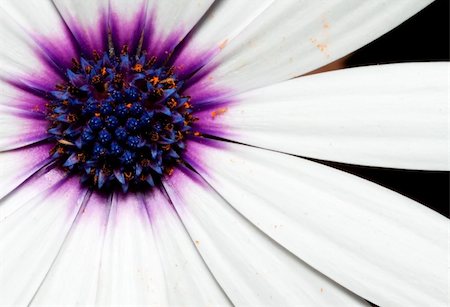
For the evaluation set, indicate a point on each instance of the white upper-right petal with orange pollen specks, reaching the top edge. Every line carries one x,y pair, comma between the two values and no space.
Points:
292,37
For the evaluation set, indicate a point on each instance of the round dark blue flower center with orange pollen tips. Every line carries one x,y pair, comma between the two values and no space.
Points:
120,120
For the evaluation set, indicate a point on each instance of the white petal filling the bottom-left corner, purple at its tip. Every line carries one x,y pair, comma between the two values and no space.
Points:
31,237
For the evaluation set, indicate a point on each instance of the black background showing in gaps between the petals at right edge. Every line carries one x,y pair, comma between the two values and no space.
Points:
424,37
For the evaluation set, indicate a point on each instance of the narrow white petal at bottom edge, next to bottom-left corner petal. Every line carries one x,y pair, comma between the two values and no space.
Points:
73,277
